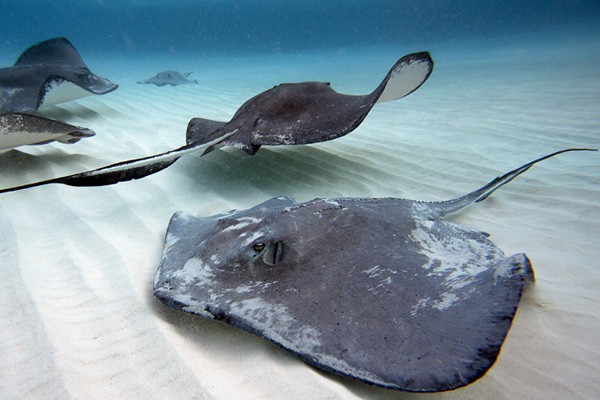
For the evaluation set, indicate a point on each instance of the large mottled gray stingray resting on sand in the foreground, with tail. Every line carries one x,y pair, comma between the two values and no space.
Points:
380,290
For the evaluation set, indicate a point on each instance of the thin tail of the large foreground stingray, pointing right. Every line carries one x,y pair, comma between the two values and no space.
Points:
443,208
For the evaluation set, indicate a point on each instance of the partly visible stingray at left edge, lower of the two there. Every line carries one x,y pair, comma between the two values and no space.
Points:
17,129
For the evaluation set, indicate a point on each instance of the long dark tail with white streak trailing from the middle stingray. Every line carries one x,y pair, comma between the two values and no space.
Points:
122,171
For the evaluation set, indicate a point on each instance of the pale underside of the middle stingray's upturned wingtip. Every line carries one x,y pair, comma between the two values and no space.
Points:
406,76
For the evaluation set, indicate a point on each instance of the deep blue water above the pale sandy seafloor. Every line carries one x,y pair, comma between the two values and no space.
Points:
257,27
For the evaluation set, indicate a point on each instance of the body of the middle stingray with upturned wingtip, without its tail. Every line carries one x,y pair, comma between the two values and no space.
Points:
308,112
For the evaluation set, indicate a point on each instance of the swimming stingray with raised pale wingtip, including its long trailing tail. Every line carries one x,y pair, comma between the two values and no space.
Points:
290,113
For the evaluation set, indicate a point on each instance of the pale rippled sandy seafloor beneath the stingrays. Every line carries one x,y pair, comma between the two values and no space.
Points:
77,264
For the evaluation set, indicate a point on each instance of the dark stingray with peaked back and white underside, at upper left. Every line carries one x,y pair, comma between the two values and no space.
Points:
48,73
